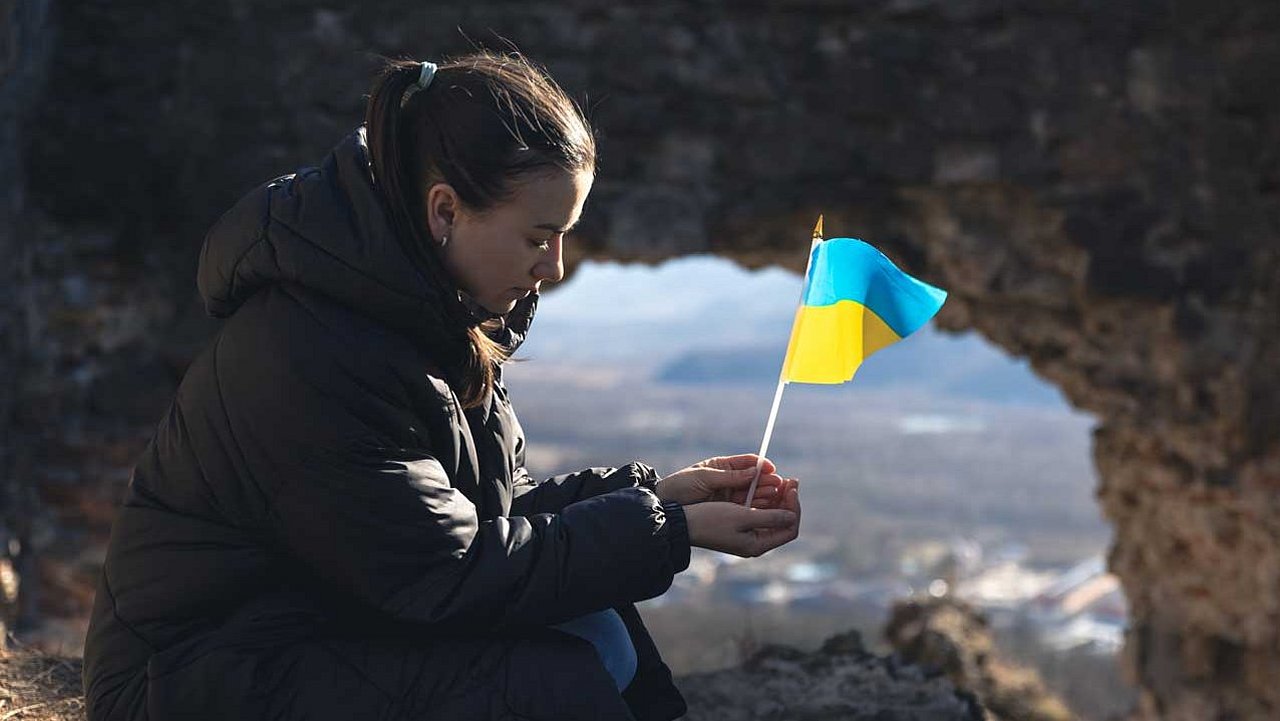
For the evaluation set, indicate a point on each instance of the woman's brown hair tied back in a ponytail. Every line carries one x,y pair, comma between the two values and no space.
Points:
486,121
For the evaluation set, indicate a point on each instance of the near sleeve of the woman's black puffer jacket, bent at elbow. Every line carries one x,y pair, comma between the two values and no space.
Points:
387,527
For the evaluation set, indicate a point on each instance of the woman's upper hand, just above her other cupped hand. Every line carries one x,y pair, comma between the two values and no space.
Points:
724,478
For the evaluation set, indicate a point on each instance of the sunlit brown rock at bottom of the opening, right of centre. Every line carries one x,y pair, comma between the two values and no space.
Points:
954,638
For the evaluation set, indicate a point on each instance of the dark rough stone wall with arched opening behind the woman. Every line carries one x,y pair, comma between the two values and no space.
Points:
1098,184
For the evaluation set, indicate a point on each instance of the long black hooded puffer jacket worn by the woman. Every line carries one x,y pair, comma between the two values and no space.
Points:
318,531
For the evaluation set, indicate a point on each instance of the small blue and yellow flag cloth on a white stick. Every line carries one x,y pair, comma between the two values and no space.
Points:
856,303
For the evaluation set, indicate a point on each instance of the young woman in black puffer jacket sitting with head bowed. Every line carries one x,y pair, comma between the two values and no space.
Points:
333,519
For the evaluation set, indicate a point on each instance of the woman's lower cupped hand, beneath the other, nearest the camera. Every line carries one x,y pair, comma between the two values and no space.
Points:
746,532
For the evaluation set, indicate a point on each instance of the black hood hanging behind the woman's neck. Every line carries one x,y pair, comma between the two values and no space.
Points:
327,230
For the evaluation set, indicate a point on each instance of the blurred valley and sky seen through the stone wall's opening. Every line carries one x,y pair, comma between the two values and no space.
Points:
945,468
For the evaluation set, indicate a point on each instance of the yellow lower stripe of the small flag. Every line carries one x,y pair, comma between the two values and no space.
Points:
830,343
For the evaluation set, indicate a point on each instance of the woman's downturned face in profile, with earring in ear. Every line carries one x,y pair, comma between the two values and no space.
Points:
506,253
